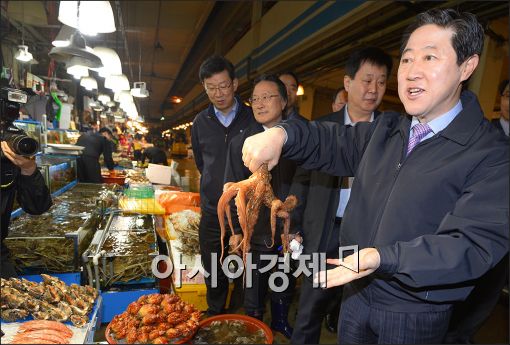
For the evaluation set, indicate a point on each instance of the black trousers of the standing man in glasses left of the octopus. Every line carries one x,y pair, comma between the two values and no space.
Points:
209,238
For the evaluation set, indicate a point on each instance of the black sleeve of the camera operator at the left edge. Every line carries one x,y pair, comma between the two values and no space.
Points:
33,194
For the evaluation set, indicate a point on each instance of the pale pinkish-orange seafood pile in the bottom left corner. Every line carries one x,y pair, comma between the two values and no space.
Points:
42,332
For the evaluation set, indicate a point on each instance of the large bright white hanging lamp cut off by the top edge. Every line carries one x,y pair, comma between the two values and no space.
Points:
94,16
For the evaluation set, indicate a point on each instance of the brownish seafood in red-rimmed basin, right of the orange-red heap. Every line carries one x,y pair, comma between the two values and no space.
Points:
229,332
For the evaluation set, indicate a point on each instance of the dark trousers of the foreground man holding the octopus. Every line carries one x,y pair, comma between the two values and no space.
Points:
361,323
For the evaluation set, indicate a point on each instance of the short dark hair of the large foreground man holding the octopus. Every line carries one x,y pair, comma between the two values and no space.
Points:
467,38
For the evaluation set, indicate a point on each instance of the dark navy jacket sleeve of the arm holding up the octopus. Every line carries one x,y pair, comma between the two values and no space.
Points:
326,146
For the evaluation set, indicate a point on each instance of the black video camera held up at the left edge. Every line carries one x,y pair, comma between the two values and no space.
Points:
16,138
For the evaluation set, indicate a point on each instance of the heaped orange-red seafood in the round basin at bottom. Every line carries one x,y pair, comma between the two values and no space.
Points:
155,319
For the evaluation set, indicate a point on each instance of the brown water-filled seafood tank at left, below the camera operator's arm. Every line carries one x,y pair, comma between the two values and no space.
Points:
55,240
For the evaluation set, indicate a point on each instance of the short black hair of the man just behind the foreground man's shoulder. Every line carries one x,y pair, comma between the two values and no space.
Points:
373,55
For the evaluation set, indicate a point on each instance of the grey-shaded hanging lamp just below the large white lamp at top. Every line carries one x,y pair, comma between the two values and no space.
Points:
78,50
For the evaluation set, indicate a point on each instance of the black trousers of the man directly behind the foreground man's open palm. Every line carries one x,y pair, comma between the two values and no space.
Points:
315,303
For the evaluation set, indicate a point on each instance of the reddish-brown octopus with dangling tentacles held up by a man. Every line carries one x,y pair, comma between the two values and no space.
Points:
250,195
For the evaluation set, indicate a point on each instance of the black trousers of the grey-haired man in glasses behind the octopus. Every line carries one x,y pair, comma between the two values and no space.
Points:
255,295
